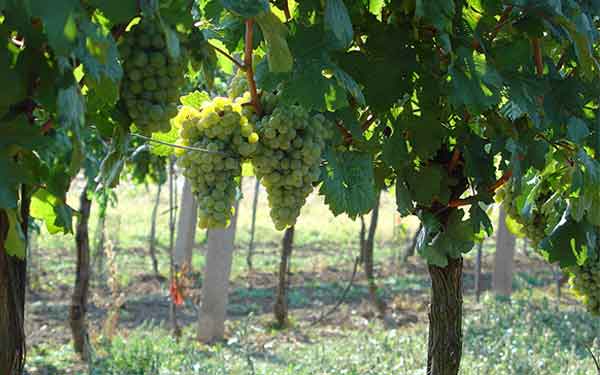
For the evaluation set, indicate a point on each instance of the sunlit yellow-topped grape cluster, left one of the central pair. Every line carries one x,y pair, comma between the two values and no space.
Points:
228,139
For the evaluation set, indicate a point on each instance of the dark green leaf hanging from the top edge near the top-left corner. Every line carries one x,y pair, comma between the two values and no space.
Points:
59,18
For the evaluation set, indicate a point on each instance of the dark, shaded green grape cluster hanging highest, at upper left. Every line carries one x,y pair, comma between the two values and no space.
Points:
152,78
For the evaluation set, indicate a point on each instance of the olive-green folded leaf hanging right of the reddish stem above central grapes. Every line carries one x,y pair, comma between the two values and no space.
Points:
275,33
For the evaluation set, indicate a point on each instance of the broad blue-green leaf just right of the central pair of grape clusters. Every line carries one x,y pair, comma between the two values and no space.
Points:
348,185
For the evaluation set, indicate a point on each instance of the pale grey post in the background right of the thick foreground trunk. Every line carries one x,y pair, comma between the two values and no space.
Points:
504,258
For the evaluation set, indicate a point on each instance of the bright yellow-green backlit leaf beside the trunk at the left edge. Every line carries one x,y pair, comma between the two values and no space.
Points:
52,210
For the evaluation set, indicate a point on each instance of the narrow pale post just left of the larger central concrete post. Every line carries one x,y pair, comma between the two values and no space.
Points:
186,228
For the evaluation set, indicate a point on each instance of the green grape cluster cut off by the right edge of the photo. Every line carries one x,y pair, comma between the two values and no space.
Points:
585,281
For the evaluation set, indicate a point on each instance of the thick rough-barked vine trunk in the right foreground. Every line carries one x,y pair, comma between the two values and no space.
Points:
445,319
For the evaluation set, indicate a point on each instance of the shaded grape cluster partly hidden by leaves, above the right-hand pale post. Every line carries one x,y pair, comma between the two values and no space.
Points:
533,227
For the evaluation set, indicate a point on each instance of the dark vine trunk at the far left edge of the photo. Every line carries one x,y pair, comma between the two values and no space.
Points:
13,280
